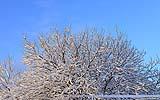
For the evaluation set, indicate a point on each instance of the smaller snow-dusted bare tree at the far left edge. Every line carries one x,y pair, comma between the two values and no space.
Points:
7,76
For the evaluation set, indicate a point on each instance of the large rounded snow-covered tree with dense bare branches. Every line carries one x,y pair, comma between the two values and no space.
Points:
63,64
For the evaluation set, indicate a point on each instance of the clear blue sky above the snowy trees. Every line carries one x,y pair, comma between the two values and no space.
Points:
139,19
